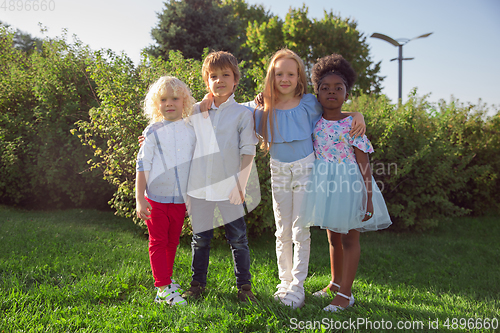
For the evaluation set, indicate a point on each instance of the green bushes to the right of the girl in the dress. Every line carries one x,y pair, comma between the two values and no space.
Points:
426,160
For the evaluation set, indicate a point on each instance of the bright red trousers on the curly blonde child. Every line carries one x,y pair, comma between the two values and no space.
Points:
164,228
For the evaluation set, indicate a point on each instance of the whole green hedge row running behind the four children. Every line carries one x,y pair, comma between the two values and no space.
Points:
432,161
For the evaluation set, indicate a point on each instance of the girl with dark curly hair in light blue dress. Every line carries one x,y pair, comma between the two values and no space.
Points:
342,195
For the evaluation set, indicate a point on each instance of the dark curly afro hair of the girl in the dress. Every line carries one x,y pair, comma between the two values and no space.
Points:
336,64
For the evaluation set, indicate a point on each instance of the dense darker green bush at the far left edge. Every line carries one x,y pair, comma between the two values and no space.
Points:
43,94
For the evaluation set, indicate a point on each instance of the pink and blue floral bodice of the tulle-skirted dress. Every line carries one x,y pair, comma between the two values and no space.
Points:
332,142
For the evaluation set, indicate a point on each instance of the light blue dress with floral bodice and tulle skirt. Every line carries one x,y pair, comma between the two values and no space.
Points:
336,194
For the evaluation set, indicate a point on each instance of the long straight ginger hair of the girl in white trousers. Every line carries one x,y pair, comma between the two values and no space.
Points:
271,95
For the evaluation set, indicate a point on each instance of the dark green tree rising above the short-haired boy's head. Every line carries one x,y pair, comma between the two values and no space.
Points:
192,25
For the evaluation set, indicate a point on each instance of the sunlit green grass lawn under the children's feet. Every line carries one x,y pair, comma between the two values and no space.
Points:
88,271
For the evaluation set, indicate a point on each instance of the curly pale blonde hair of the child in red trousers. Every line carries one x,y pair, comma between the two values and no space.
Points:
158,89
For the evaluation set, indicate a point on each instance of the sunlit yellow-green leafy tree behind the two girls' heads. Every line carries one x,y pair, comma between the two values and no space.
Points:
313,39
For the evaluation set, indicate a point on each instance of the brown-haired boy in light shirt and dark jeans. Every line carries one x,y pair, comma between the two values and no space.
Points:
219,173
